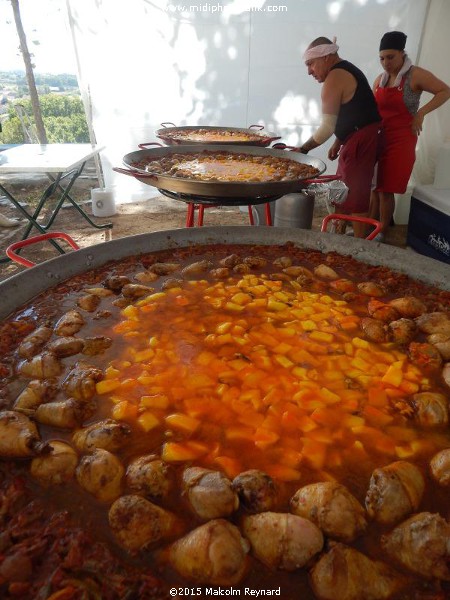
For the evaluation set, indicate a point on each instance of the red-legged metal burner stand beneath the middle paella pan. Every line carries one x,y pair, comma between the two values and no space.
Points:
201,202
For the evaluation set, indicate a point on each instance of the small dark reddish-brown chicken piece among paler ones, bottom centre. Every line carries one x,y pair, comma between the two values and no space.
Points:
256,490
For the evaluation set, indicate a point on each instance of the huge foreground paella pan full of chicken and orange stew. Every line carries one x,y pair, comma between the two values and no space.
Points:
280,318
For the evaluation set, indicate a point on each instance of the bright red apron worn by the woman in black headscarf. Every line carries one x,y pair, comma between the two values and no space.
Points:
399,152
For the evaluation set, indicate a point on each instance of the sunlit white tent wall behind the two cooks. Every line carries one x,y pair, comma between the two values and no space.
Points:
142,62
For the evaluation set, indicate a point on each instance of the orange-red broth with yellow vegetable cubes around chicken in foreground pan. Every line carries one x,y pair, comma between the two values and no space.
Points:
250,368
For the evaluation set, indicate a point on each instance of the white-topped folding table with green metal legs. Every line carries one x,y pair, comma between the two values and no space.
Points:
62,164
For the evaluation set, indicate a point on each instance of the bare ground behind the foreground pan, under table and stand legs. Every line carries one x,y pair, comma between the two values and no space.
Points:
156,214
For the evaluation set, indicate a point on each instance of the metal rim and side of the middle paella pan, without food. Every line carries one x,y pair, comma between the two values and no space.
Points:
225,190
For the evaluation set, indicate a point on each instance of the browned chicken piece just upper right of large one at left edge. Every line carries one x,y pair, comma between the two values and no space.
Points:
66,414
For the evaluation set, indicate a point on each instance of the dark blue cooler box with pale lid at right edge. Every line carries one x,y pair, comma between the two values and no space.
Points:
429,222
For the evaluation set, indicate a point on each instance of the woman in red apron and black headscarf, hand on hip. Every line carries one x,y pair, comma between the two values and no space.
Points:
397,93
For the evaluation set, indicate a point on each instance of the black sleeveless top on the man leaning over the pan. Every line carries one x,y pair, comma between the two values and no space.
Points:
361,110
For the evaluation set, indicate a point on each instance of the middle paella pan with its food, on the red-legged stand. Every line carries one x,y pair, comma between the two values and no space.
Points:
254,172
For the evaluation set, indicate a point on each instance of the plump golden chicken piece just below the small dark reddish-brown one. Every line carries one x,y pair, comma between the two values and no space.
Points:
281,540
